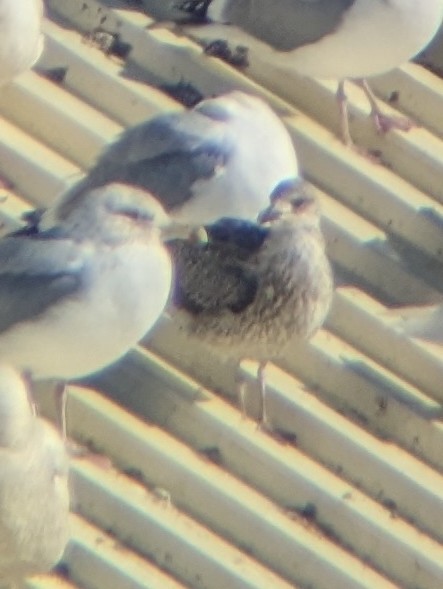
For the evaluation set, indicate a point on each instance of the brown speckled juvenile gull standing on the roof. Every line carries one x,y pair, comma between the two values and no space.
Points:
254,286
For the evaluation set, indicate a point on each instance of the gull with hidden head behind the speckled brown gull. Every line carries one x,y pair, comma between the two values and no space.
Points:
222,158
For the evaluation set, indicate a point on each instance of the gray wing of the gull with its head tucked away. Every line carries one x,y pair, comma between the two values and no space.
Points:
166,155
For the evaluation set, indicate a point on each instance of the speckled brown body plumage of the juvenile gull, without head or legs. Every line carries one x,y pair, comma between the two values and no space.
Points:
259,301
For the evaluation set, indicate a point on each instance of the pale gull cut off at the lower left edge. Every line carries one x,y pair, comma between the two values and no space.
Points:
34,494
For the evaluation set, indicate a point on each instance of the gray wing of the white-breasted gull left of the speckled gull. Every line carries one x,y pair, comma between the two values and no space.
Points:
35,274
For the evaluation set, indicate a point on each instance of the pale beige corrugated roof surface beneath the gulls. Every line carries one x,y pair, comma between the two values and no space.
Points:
351,496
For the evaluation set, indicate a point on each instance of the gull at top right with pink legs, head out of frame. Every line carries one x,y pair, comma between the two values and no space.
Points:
328,39
